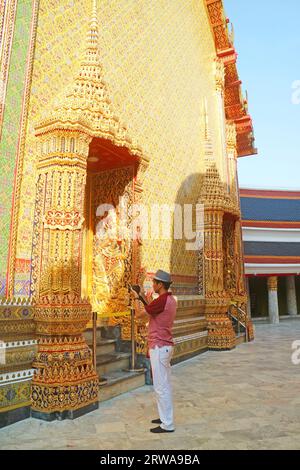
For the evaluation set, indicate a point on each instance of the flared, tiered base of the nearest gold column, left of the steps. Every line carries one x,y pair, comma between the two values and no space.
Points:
65,379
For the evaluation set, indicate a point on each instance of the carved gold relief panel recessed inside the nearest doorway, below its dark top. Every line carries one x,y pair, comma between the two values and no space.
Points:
109,245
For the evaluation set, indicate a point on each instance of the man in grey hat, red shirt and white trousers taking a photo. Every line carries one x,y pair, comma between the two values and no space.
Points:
162,312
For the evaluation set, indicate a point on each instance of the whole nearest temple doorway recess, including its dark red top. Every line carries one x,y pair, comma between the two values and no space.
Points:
108,254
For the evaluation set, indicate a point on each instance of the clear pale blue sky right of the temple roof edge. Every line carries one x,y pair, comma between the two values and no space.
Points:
267,40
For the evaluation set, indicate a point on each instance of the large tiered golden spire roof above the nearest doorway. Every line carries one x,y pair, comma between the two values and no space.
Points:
86,105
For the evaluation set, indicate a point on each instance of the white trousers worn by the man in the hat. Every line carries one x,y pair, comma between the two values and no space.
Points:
161,372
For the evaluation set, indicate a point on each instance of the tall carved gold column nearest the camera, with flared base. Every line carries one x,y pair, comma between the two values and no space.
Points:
65,382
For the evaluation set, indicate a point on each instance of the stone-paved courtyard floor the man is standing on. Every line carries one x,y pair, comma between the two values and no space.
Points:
248,398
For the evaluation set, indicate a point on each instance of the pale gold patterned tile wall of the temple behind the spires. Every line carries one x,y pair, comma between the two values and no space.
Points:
157,58
